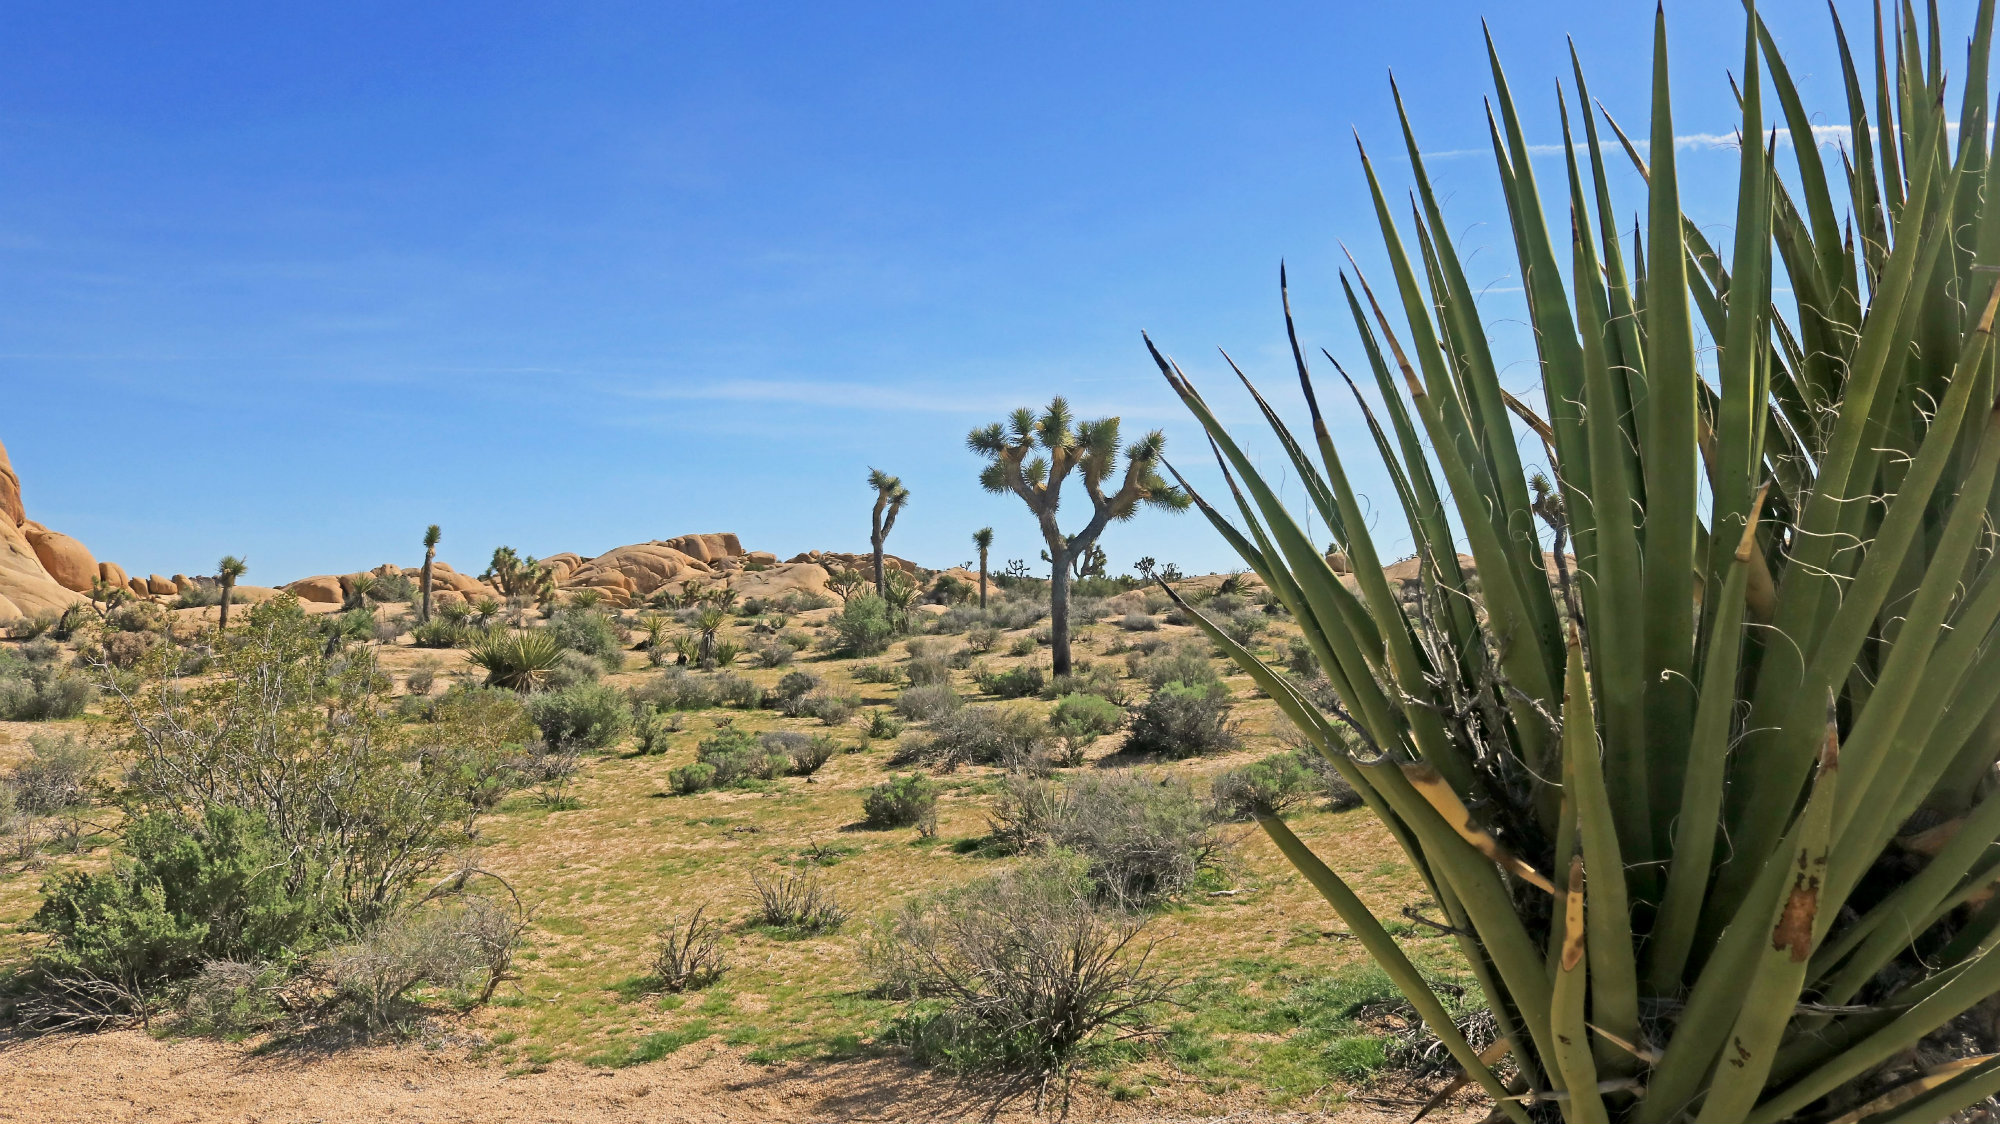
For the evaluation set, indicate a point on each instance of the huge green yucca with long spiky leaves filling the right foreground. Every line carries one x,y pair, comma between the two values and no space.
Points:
1695,745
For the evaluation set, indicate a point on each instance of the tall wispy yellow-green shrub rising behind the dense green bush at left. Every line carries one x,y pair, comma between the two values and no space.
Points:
363,805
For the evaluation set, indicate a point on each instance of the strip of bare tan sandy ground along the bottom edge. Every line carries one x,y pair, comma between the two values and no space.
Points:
127,1075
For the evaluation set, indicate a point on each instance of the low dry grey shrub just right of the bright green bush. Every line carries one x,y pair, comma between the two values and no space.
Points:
463,945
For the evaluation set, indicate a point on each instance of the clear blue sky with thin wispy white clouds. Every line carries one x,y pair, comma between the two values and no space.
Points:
297,281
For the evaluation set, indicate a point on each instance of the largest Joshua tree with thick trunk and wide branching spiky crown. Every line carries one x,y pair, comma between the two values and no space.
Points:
1037,477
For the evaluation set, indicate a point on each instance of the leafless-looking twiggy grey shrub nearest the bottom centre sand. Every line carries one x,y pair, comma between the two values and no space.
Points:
1029,971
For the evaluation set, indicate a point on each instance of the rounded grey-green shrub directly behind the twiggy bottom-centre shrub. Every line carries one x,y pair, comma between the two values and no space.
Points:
1143,839
